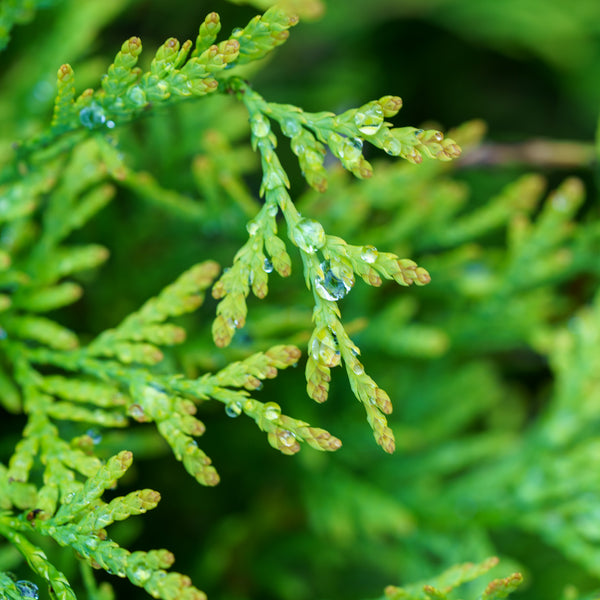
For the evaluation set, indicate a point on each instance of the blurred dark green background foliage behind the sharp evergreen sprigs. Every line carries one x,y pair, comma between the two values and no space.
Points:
473,363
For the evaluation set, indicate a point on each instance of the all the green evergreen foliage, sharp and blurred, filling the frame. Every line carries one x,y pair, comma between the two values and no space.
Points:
116,342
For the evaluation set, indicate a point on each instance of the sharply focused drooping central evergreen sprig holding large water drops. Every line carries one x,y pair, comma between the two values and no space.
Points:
331,278
